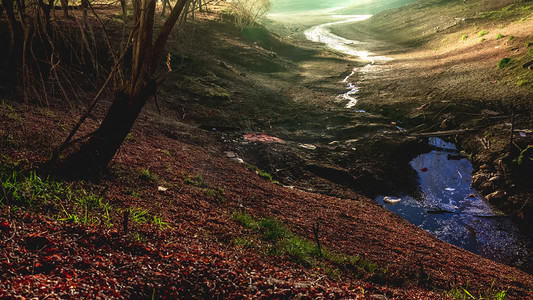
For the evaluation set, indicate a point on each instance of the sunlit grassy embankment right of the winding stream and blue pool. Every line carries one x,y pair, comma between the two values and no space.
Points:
461,65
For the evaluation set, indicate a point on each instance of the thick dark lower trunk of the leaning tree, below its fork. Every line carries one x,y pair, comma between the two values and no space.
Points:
95,155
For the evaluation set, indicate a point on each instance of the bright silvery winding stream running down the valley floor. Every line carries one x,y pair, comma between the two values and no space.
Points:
322,34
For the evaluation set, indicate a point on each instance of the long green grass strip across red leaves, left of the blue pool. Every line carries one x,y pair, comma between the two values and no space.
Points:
277,240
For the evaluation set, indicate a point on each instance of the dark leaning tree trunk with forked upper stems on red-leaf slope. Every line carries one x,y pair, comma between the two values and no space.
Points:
95,155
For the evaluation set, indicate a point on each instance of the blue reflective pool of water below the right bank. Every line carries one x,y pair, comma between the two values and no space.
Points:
452,211
